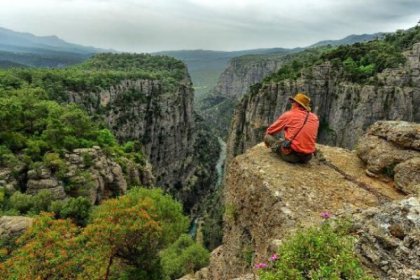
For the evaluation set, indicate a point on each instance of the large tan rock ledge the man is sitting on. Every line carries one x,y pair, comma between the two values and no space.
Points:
267,199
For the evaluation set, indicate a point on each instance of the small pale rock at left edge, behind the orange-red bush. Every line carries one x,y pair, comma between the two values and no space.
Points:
13,226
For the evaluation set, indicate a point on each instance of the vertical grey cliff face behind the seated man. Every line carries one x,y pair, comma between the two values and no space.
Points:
345,109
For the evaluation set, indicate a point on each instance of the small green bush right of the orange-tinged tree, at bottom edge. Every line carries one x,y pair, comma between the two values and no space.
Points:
183,257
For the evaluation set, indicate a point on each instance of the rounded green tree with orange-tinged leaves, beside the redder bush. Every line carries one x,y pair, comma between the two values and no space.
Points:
129,231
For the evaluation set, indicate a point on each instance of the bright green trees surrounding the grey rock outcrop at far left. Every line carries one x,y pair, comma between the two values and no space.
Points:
34,132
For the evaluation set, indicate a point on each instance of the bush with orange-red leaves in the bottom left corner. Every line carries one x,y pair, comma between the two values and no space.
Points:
47,250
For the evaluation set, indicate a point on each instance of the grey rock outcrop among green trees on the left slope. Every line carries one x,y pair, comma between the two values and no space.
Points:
87,172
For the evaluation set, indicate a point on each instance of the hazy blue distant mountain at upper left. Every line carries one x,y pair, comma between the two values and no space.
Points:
25,49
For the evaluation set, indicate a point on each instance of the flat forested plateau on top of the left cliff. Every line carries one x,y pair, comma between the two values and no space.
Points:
98,73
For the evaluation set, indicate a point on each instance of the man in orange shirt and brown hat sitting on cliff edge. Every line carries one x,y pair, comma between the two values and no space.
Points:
300,131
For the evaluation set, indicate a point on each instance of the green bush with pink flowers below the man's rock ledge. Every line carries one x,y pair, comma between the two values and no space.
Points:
324,252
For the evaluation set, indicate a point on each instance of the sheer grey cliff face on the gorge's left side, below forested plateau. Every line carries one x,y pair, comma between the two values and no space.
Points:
174,138
